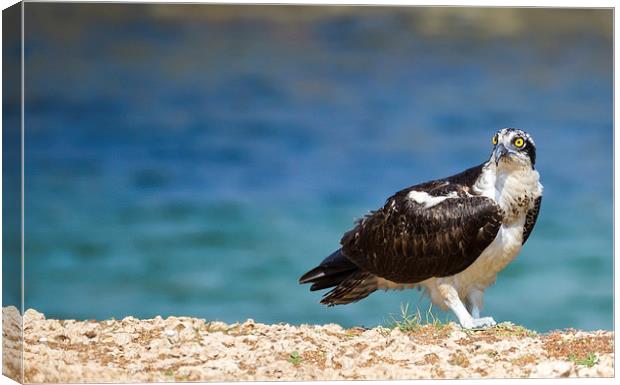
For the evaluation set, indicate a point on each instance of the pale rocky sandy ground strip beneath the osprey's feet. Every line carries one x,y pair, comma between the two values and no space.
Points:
190,349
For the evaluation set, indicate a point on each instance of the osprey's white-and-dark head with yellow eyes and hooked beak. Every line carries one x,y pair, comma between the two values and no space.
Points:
513,148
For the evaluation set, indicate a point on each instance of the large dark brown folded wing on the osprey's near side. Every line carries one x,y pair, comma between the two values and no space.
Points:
406,242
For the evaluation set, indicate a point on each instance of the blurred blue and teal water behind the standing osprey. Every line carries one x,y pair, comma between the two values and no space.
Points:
195,166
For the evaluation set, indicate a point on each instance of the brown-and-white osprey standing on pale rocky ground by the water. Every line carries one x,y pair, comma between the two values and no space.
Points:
451,236
